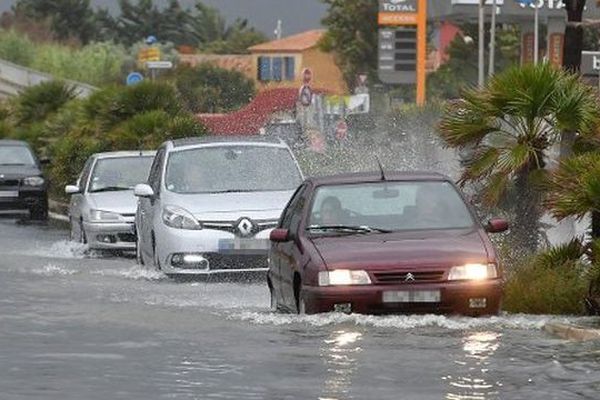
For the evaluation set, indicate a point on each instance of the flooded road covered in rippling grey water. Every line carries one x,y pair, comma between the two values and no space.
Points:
84,327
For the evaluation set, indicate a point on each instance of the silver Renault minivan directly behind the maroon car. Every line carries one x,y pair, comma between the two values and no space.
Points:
210,204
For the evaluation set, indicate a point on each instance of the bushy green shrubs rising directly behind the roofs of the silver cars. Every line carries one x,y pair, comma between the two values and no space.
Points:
115,118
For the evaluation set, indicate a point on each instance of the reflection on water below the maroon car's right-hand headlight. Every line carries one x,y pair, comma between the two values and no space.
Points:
471,381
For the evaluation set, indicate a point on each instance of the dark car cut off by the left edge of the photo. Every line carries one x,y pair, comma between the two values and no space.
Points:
22,183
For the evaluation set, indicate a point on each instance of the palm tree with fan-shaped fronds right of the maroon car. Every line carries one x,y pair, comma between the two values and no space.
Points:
510,125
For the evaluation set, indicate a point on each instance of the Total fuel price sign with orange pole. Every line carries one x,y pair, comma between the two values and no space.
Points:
403,43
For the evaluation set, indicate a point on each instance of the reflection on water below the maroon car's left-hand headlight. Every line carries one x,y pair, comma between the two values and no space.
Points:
339,352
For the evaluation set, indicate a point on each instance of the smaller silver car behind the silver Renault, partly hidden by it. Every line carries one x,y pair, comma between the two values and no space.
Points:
102,208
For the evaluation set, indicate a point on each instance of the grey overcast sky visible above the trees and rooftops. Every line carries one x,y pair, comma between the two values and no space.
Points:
297,15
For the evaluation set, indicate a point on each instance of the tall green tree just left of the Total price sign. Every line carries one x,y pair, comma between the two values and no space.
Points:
352,35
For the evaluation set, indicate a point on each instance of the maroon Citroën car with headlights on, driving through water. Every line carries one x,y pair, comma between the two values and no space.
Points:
403,242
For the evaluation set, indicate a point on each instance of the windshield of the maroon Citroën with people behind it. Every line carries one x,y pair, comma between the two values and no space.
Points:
389,206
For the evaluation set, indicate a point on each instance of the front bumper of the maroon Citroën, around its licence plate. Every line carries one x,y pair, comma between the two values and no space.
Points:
455,298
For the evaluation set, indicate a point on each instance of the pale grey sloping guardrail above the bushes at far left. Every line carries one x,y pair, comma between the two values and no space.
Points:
15,78
